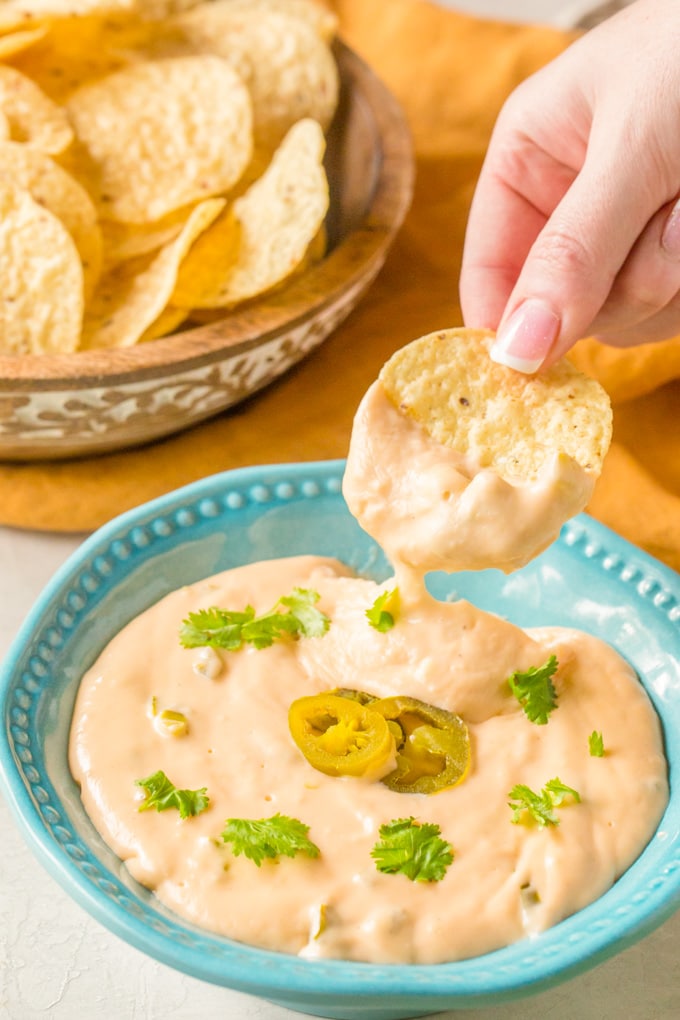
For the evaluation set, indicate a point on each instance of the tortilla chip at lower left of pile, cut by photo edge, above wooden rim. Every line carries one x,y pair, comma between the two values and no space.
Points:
41,279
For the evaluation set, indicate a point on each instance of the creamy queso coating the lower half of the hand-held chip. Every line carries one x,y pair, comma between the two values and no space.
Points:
431,508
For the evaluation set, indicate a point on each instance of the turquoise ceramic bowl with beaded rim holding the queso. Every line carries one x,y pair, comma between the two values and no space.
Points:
590,579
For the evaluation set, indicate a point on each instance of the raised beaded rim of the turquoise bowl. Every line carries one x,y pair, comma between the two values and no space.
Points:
643,898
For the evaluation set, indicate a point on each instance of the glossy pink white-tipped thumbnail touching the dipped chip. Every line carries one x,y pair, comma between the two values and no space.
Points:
524,342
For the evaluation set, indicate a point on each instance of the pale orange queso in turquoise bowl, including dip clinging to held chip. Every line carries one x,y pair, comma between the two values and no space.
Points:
507,881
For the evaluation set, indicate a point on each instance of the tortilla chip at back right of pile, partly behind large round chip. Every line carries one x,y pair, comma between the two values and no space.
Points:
290,71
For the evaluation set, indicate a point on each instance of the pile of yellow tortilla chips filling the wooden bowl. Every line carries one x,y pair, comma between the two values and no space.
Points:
162,162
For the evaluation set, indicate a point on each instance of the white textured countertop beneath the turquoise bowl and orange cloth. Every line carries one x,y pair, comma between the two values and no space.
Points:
59,963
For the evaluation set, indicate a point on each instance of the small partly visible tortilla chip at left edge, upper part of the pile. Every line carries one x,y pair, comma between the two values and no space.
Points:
34,119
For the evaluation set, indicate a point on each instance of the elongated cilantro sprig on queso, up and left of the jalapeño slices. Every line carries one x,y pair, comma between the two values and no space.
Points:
232,630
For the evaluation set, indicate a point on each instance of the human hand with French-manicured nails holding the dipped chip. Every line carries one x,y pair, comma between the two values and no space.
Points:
576,224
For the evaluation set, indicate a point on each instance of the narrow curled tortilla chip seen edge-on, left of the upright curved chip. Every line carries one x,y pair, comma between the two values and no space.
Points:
132,297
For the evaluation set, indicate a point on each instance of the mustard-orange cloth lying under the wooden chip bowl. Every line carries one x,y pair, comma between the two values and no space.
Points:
452,74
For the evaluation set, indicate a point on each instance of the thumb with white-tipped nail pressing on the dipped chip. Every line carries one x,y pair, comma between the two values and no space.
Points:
573,263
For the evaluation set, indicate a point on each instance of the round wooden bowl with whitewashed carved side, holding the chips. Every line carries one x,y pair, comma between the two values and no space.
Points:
59,406
